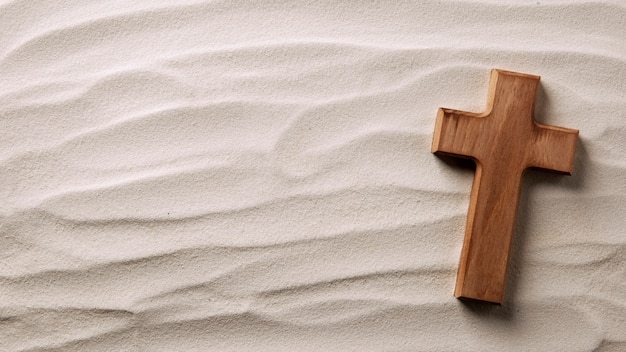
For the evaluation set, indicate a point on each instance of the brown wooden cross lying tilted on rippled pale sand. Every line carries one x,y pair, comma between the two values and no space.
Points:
504,141
